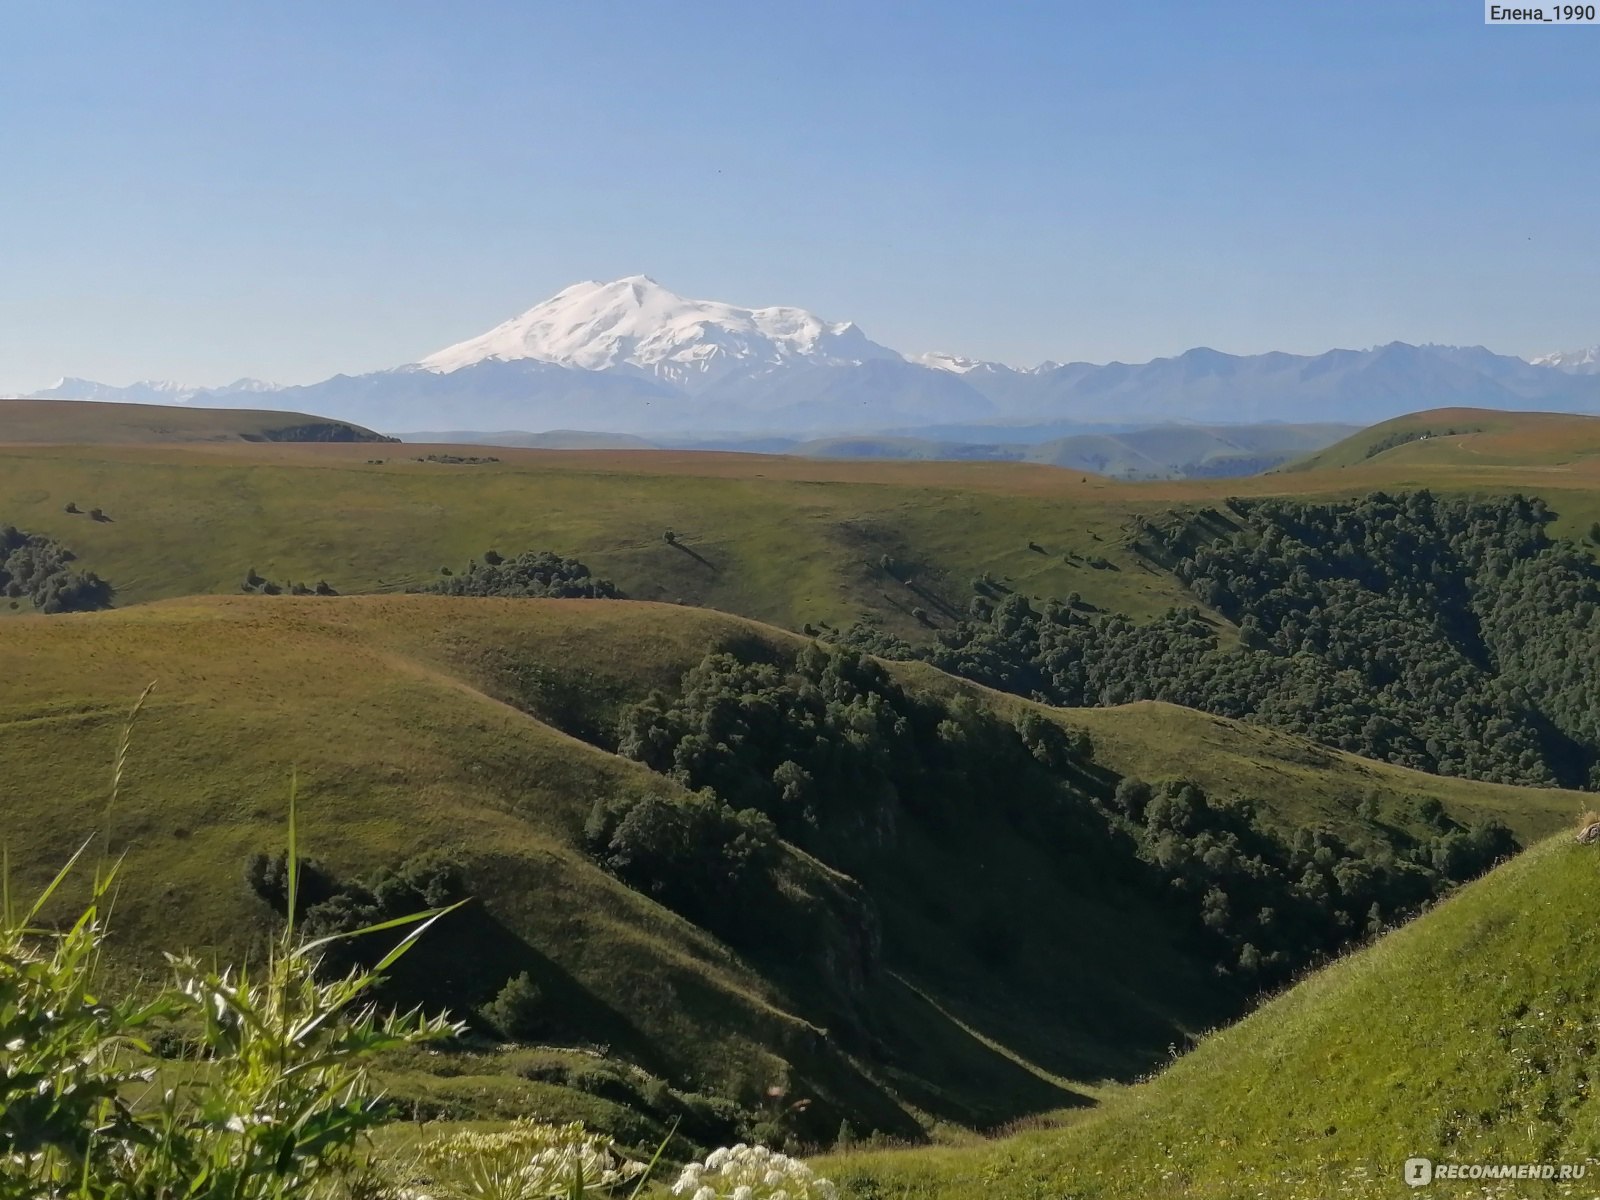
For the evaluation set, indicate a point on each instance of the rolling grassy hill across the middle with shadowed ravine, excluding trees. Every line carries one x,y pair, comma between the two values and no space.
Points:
436,726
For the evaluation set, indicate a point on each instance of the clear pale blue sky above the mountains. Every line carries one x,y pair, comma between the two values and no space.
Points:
204,191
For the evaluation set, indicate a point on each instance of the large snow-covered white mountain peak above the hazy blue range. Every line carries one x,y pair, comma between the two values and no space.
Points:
639,324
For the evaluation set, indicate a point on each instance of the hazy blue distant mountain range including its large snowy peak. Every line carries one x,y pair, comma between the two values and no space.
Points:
633,358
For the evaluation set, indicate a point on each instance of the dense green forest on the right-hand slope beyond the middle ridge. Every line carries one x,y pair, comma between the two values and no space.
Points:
1450,636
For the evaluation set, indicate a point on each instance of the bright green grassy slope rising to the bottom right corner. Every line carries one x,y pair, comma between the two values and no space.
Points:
1466,1036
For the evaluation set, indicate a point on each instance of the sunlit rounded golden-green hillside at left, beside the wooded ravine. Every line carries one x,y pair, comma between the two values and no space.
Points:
394,758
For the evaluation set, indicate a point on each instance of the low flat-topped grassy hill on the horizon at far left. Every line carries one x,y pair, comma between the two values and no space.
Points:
94,423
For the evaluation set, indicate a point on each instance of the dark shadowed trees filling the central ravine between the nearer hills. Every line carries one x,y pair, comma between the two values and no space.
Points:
831,754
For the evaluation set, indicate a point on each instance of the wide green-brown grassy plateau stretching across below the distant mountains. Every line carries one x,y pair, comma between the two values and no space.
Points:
782,540
